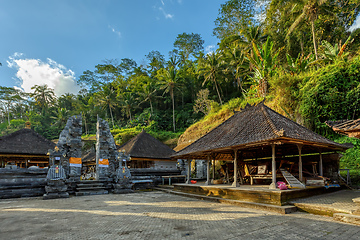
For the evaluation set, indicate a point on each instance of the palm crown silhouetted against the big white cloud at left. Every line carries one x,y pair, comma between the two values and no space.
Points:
43,96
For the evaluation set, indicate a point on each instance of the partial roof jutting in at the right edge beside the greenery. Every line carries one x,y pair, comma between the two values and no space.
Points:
346,127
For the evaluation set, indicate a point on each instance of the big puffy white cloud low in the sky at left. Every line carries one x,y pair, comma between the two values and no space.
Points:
32,72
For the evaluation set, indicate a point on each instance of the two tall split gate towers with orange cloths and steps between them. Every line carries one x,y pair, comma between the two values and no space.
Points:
69,149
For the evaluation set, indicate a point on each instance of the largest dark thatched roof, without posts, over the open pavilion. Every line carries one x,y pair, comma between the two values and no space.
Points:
257,126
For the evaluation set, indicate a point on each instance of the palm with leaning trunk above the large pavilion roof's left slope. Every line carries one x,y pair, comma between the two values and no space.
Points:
212,68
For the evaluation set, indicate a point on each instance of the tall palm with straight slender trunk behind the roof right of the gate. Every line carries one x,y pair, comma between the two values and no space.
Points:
169,80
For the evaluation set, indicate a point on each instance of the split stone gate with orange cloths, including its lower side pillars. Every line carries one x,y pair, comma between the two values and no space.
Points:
65,160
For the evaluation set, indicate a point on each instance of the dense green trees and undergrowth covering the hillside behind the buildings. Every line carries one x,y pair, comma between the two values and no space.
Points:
299,55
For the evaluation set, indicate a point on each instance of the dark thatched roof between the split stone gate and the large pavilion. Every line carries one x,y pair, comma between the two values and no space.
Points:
147,147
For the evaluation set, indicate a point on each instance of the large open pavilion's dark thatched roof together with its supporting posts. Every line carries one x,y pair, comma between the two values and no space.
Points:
258,132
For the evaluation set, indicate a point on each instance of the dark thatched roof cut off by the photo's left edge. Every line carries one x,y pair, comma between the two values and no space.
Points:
25,142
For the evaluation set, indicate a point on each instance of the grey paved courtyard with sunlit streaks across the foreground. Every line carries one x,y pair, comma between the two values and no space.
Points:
157,215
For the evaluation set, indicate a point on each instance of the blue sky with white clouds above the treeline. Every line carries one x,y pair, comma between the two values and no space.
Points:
53,42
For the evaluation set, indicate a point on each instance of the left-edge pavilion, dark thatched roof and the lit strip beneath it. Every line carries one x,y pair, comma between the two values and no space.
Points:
26,148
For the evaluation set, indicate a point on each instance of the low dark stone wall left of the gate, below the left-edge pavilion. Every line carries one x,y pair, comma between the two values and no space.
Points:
22,182
